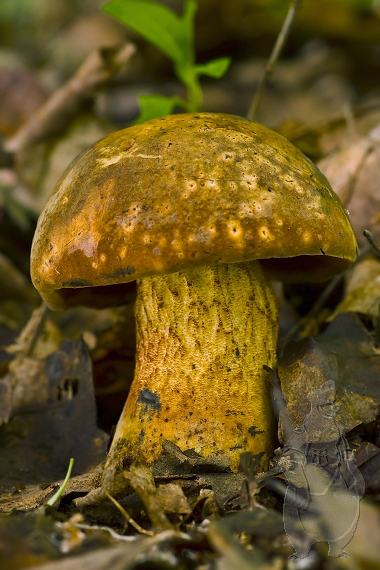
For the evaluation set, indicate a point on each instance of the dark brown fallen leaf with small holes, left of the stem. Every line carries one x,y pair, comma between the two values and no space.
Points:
52,417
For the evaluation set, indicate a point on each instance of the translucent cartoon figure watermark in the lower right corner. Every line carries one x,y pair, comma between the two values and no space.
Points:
324,486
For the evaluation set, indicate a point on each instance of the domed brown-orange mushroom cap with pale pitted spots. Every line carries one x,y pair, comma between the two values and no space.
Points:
182,191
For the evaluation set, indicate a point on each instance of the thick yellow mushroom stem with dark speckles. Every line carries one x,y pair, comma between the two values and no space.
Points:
203,337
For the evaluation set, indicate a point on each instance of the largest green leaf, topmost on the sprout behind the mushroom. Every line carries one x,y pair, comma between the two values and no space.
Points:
157,24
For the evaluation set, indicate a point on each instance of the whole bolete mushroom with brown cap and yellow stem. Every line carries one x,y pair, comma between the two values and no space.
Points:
202,210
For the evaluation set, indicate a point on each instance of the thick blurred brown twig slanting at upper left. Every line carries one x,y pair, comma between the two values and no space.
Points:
53,115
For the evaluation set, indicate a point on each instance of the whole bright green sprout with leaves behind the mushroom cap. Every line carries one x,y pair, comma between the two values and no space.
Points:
174,36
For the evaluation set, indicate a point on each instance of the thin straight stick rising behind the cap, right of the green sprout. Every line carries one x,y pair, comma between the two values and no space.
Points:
276,52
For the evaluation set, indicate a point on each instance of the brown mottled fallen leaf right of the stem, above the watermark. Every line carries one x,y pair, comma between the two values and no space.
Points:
344,353
